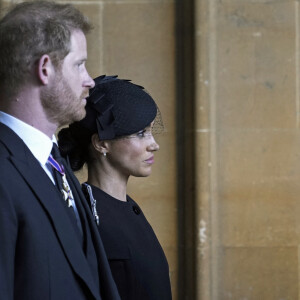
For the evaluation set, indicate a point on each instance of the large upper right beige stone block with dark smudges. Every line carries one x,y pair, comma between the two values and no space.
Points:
256,82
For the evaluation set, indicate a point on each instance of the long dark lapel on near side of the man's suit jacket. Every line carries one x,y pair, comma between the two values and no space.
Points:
46,193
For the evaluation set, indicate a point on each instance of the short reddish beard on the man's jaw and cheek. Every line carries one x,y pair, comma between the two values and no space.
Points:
61,105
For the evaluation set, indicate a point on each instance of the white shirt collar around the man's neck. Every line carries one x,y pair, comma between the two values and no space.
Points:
38,143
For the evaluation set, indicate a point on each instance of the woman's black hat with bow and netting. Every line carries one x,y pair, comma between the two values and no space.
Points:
117,107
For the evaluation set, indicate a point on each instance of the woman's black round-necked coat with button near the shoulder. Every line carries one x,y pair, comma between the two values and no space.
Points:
137,260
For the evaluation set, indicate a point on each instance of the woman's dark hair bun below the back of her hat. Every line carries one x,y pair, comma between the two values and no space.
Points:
74,143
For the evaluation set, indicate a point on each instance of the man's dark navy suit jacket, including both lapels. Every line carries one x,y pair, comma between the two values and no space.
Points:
41,256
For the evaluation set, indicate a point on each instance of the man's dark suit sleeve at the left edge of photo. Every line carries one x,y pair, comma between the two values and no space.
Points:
8,237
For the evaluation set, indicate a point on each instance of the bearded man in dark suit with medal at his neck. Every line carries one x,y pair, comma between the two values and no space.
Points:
49,243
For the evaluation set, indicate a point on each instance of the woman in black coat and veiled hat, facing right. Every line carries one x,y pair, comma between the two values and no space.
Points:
115,141
